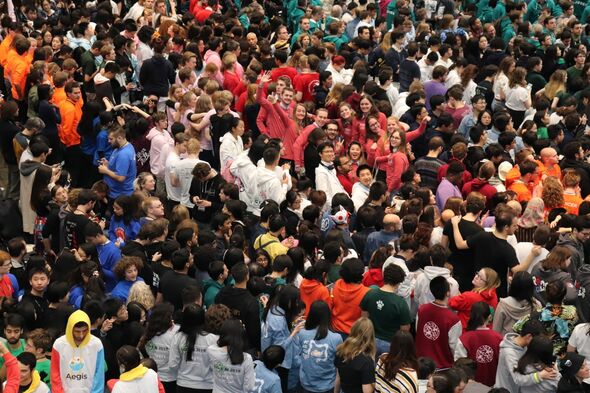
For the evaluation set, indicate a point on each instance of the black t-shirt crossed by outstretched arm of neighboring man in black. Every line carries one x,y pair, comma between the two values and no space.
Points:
462,260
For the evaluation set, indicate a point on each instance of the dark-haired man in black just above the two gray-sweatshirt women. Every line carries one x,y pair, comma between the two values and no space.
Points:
172,283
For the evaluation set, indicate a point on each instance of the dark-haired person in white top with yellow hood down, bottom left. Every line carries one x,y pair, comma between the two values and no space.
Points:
135,377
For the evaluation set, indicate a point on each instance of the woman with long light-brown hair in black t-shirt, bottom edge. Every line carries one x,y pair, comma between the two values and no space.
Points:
355,359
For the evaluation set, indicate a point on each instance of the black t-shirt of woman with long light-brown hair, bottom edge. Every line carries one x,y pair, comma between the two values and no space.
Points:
355,373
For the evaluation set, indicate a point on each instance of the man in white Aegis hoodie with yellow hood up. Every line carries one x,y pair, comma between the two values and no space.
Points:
77,358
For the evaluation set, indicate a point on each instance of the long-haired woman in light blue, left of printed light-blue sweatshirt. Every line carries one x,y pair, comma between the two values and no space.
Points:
280,324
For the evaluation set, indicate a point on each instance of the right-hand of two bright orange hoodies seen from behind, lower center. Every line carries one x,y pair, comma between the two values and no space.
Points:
346,308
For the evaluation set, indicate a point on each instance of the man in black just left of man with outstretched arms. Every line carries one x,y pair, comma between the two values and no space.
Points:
462,260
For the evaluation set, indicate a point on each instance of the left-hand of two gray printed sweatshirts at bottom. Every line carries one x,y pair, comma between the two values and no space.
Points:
191,373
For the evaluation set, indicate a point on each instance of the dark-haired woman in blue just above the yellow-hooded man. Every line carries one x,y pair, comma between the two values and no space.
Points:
86,284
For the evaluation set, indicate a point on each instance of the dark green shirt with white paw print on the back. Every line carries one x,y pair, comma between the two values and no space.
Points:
387,311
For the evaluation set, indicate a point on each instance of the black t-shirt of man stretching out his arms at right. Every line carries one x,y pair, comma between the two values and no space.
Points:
491,251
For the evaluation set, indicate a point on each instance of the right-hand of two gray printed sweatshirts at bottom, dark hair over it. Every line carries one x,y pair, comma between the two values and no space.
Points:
227,377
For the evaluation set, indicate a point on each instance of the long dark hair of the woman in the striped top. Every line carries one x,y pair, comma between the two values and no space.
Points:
402,353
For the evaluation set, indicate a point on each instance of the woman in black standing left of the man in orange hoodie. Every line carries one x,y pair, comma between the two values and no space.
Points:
50,115
